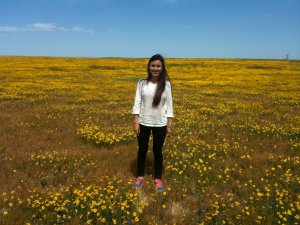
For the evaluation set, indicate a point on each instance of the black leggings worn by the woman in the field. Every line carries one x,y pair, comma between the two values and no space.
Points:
159,134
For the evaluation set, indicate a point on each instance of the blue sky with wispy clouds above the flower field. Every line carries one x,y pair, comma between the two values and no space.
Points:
140,28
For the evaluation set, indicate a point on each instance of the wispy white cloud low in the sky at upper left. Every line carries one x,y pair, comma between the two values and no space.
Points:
44,27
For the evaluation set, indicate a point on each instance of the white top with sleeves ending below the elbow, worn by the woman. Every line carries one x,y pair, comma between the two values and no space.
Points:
149,116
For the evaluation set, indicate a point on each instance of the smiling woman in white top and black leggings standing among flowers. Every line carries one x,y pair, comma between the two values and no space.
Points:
153,111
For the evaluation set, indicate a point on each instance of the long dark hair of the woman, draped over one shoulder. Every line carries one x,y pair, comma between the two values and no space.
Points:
161,82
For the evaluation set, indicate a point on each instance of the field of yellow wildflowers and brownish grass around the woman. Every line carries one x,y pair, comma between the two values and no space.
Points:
68,152
